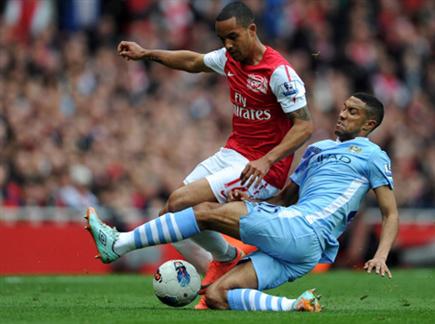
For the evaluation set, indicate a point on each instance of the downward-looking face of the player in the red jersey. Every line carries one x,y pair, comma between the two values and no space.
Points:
237,39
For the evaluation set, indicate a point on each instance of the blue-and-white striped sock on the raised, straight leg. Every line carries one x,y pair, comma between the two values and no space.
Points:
170,227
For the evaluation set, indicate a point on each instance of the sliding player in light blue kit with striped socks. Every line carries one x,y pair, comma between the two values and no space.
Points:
323,195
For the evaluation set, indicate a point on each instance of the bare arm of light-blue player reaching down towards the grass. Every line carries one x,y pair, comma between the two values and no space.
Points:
390,227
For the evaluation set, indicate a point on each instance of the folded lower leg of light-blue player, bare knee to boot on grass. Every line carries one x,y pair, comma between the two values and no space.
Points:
238,290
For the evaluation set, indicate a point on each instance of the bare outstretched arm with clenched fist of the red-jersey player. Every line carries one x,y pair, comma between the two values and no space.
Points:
179,60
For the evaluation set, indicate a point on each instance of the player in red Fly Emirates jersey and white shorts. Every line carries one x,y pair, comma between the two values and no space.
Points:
270,121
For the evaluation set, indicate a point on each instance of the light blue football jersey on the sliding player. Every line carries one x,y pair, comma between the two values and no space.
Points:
333,178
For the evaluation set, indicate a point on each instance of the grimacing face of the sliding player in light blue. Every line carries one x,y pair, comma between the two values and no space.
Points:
353,120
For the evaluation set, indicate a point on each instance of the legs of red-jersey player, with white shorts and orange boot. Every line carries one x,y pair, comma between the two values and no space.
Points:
217,175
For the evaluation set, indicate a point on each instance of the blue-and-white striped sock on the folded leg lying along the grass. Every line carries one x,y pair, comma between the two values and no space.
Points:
255,300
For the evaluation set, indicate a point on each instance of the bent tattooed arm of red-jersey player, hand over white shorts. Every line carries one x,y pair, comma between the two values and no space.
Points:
295,137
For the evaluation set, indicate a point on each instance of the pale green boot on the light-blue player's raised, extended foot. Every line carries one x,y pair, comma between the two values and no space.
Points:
104,236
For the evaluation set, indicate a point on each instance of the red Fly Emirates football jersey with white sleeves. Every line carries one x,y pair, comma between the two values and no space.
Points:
261,95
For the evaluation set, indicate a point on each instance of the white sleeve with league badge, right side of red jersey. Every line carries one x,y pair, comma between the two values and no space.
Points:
288,88
